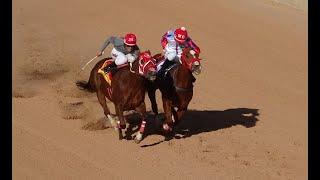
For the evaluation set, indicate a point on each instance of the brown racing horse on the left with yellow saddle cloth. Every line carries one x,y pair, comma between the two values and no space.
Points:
127,90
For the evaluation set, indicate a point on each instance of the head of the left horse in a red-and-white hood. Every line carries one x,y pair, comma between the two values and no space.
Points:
147,65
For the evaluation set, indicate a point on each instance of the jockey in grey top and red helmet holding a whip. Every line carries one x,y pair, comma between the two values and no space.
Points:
124,50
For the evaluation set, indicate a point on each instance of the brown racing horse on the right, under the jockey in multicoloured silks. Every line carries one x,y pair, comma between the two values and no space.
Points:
176,87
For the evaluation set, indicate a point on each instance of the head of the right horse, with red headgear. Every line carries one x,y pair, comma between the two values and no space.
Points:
190,59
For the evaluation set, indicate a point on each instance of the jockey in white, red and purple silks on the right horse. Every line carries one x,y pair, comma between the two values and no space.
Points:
173,43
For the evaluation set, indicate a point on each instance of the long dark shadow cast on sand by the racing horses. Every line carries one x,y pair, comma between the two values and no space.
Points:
196,122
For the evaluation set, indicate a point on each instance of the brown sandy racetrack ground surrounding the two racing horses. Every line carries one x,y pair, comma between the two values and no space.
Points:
255,57
